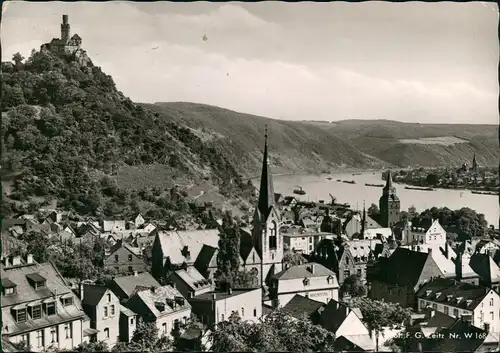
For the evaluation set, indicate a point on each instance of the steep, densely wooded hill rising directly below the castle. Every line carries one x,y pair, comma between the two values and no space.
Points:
68,132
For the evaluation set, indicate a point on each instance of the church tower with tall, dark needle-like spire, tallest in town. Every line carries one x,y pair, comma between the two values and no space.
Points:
267,239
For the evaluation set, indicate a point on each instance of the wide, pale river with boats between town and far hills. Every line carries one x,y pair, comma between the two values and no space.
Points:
318,188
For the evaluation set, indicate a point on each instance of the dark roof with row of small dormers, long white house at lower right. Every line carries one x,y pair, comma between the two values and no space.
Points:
450,292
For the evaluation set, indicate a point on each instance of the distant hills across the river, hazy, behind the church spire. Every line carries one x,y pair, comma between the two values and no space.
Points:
319,146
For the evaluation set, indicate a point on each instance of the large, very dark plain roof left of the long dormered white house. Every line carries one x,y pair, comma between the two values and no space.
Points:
406,267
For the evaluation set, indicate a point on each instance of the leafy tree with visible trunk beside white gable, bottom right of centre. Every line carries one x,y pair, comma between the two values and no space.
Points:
379,315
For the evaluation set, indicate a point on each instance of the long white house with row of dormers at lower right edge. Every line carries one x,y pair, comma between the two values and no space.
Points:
455,298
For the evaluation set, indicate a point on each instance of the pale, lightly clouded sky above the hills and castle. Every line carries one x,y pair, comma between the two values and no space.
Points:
411,62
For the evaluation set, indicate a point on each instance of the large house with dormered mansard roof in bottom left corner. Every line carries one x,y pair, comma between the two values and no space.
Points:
38,308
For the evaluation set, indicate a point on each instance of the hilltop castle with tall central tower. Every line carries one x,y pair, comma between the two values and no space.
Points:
67,45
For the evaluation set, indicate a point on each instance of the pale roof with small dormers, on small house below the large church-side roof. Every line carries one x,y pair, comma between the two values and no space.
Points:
161,295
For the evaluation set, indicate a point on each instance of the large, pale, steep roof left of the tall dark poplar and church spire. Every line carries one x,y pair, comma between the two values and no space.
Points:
172,243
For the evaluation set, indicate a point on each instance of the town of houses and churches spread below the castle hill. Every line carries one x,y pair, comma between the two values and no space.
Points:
450,289
